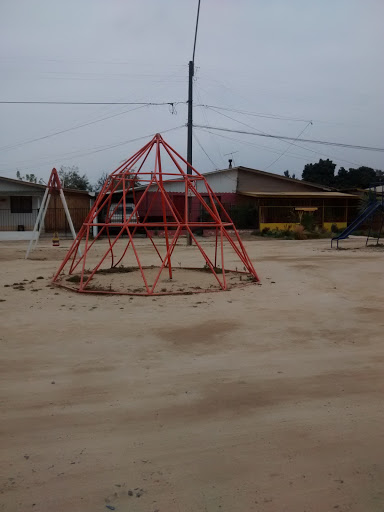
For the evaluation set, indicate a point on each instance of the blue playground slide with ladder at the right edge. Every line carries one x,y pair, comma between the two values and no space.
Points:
376,204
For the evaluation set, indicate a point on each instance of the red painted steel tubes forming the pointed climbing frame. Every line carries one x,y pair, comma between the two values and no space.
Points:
172,221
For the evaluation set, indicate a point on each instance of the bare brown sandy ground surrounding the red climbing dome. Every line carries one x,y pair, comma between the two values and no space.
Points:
266,398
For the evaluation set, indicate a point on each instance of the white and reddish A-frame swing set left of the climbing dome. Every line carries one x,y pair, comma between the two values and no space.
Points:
54,189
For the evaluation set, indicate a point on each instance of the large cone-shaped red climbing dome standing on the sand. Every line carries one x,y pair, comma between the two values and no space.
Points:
157,163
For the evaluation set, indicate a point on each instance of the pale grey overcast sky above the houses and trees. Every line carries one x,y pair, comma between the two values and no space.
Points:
297,59
